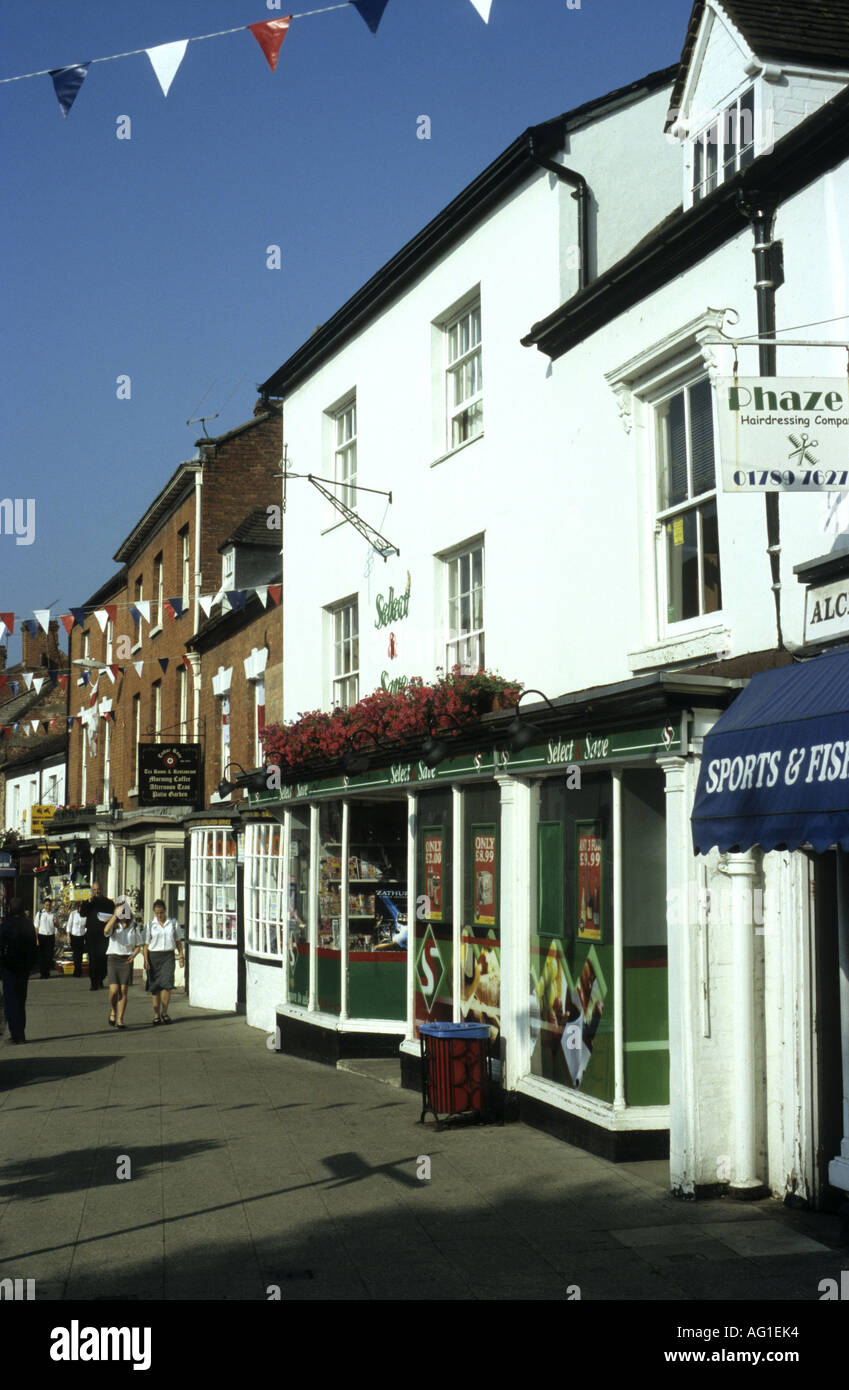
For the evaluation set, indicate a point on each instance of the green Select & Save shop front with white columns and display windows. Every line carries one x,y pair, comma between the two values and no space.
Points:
526,890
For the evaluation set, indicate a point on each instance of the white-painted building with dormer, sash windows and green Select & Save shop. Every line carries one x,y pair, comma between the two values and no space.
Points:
561,519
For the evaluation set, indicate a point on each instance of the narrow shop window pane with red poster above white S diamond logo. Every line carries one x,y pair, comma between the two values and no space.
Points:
434,911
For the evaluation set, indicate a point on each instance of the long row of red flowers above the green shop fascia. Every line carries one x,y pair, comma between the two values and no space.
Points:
388,721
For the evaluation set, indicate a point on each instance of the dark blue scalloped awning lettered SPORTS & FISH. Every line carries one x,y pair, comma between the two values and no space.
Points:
776,765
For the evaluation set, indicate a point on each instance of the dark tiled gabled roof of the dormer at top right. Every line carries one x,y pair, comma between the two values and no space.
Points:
808,33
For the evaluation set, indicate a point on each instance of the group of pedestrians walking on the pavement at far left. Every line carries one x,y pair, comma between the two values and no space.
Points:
110,938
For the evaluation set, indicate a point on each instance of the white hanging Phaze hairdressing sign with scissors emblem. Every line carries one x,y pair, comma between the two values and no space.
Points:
784,434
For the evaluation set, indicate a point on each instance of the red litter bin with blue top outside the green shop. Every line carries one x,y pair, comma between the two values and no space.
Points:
455,1070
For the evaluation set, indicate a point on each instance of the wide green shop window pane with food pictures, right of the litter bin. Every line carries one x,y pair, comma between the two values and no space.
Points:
572,950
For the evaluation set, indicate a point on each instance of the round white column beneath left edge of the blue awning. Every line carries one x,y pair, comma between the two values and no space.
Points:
743,869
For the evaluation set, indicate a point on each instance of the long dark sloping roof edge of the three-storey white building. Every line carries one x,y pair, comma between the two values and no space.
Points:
448,229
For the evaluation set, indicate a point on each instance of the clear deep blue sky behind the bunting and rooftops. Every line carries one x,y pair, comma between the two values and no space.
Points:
147,256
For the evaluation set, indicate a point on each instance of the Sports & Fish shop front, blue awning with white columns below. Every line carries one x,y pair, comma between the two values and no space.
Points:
773,801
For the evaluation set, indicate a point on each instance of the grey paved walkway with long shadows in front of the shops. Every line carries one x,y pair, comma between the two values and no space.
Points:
192,1163
